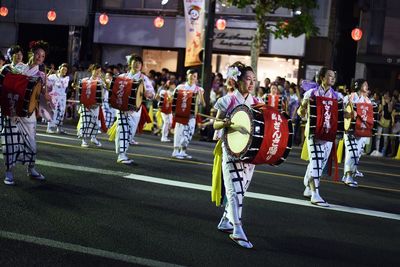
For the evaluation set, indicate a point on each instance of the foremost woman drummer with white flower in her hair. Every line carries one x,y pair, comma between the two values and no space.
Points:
237,175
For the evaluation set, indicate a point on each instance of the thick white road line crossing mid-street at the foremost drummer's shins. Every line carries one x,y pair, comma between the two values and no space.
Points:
168,182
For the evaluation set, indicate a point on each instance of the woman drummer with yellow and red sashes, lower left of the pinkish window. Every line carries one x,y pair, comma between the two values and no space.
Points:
127,121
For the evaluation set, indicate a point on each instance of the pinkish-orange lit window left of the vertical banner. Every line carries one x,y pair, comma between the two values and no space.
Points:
159,59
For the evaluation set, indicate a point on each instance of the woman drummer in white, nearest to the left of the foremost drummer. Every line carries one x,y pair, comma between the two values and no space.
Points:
184,132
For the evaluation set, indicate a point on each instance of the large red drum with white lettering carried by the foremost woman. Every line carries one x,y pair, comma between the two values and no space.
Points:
269,137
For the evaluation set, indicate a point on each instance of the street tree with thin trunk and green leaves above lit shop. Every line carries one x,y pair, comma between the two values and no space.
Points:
300,23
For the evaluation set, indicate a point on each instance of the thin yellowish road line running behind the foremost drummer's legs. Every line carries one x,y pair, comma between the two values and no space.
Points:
209,165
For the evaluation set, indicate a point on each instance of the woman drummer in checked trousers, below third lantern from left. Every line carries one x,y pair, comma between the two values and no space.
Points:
89,116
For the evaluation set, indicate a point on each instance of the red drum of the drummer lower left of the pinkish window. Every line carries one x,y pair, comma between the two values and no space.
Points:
126,94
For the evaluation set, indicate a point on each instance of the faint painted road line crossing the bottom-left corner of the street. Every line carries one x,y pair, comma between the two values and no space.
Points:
82,249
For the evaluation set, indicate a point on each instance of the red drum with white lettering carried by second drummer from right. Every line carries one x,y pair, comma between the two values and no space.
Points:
326,118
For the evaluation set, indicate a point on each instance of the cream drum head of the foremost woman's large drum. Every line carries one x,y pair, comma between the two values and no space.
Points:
237,142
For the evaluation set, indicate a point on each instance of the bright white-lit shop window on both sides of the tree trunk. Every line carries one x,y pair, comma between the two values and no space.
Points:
268,67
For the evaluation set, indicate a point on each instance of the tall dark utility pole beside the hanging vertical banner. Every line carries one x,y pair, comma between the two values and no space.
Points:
206,81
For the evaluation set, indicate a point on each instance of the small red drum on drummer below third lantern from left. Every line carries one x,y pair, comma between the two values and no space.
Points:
91,93
